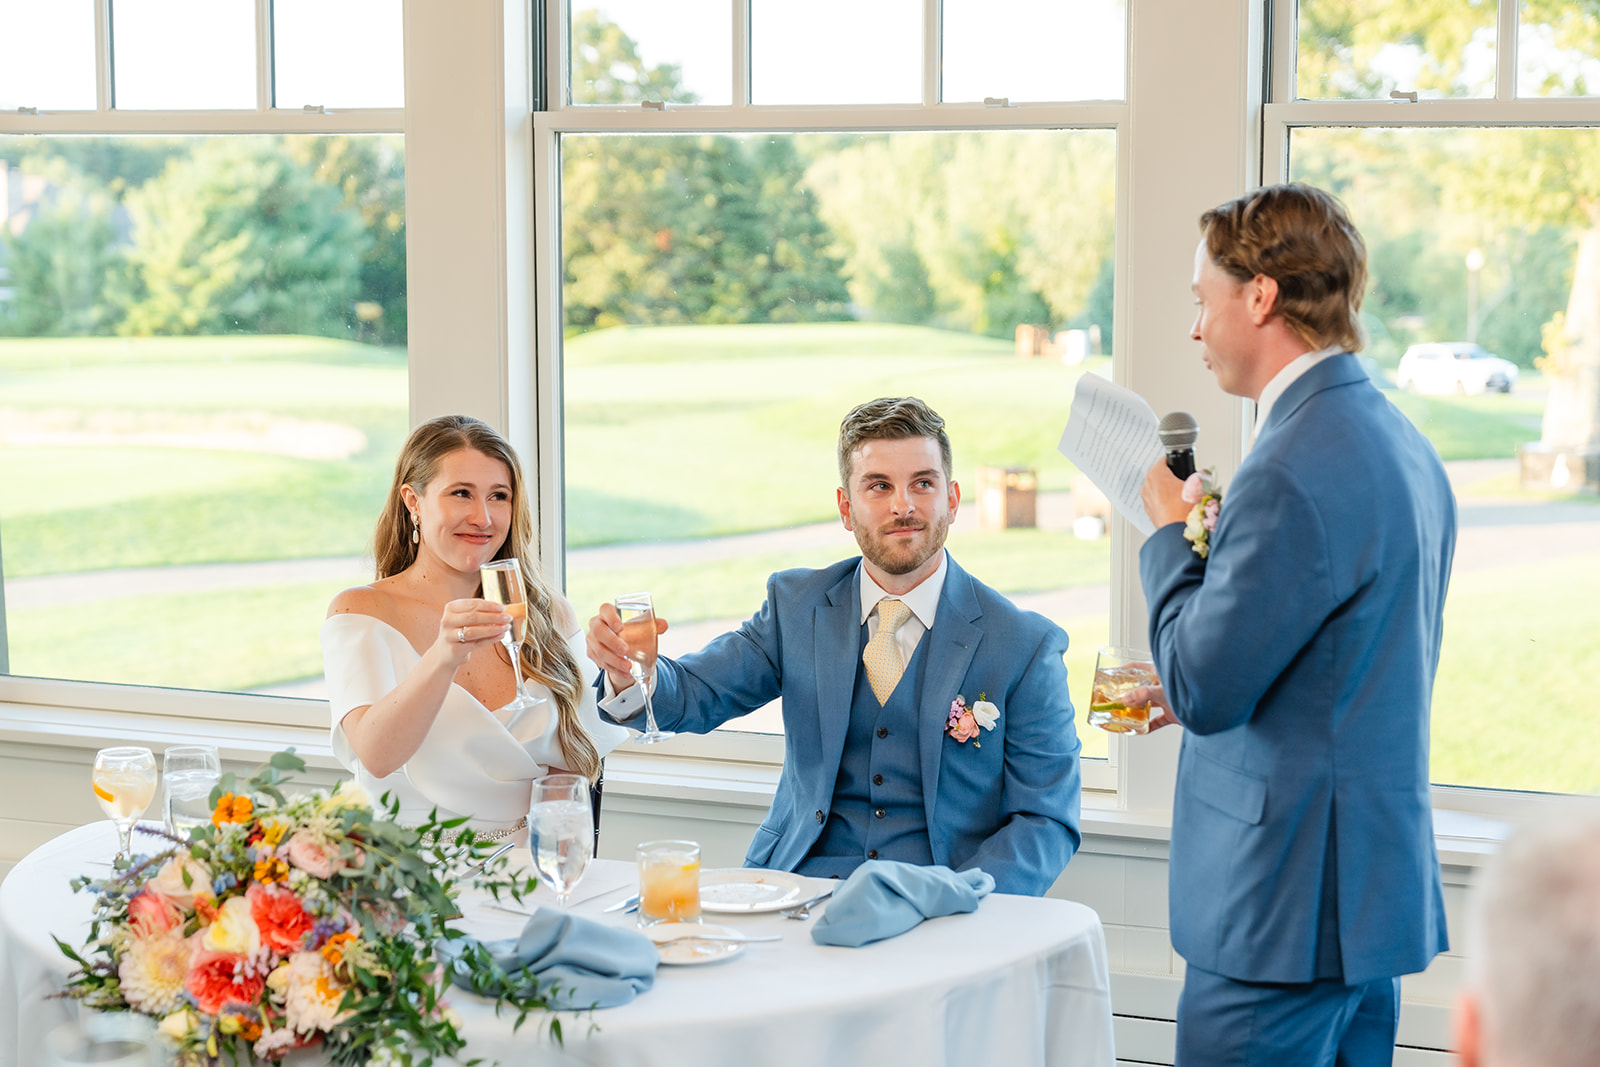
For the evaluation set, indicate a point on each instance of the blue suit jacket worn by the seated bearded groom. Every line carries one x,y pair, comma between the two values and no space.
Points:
1009,807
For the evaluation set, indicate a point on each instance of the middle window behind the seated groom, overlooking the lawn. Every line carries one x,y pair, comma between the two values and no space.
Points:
735,281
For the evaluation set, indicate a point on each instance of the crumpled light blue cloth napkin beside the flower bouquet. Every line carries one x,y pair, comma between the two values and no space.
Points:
591,965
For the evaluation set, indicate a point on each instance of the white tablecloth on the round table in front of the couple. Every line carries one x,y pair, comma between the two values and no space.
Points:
1020,981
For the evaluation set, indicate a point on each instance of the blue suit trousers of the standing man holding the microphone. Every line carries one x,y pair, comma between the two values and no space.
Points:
1226,1023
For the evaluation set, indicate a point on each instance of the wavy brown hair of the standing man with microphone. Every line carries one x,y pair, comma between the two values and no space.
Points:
1300,238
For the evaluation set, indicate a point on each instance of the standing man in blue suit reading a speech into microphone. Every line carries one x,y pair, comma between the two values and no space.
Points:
1300,658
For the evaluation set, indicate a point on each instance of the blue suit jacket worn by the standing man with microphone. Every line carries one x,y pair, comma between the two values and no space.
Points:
1300,660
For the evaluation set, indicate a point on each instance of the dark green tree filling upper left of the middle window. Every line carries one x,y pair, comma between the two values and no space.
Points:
684,230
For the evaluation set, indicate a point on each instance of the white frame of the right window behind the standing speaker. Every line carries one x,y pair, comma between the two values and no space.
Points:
1284,113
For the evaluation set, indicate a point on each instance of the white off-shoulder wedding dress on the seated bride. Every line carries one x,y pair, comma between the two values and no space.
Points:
474,762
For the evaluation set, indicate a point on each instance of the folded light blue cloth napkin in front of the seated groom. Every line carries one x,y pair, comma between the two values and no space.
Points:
886,898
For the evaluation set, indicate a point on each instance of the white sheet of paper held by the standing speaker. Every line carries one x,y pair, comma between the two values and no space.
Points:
1111,438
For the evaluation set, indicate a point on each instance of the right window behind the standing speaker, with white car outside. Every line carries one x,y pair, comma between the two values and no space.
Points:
1482,242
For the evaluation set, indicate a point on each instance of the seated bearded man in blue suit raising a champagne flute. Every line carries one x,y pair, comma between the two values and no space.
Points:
926,717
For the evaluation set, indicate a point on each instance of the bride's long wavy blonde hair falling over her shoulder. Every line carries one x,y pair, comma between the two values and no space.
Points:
545,653
